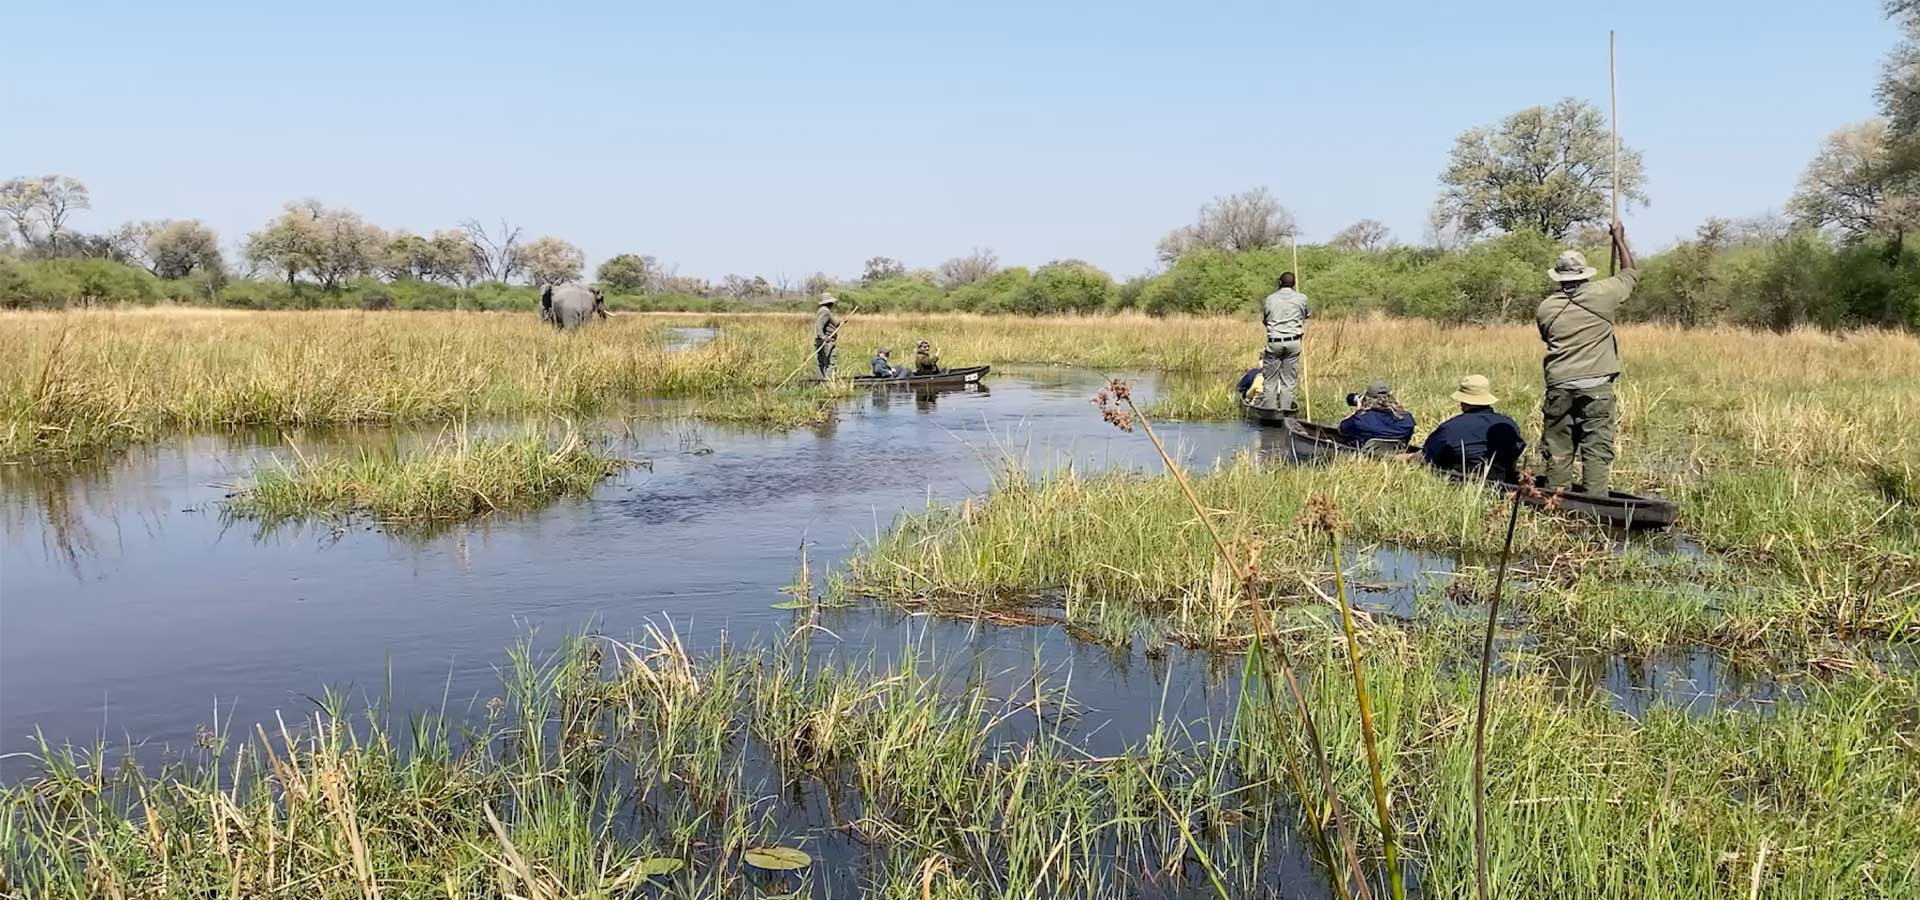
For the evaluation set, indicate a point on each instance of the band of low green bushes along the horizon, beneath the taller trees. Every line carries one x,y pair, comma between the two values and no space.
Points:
1754,281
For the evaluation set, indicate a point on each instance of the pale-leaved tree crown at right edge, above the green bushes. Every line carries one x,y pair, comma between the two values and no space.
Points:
1850,187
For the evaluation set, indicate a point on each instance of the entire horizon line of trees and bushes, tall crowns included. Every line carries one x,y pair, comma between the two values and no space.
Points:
1514,195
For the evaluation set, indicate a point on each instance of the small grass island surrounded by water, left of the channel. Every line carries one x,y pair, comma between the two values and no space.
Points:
450,481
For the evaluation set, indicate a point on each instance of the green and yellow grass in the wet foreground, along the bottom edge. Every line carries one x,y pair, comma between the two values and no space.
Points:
621,770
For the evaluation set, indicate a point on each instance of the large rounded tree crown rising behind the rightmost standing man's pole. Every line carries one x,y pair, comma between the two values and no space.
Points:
1547,168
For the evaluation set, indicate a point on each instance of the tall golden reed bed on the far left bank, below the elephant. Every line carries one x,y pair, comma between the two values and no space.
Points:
82,383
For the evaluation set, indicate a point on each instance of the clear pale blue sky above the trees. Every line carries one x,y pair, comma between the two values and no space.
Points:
798,137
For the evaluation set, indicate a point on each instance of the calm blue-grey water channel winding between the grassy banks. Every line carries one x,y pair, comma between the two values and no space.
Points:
132,609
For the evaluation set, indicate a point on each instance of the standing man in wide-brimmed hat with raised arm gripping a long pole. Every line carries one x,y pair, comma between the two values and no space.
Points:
1581,366
